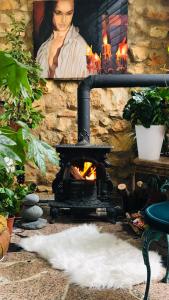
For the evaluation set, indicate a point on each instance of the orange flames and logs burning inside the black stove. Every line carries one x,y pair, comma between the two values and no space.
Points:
88,172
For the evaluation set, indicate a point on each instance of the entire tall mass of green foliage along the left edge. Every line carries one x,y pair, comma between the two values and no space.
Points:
20,85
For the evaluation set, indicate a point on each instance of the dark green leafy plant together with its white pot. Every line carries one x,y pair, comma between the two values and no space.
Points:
148,112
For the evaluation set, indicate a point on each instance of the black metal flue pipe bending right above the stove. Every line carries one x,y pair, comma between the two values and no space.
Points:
105,81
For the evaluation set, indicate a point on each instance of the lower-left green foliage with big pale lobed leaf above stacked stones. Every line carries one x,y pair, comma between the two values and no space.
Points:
17,148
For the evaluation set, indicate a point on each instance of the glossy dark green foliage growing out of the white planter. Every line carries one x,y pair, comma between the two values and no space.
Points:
149,106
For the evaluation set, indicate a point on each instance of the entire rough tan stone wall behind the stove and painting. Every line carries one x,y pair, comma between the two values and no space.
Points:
147,38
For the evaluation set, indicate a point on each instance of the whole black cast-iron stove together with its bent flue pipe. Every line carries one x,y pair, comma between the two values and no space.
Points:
83,182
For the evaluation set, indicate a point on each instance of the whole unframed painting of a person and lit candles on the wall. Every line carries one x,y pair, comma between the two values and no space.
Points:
77,38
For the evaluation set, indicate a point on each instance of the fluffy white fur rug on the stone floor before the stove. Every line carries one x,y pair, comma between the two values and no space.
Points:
94,259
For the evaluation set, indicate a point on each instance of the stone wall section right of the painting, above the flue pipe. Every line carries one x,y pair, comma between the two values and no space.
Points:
148,35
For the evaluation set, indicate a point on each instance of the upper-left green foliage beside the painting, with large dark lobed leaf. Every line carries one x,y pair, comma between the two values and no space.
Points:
20,103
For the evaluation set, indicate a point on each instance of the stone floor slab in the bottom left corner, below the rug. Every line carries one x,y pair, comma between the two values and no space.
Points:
43,286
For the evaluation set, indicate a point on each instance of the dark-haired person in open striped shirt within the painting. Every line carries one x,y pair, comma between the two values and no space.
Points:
62,53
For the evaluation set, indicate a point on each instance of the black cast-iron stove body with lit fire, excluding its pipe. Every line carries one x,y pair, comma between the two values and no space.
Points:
82,180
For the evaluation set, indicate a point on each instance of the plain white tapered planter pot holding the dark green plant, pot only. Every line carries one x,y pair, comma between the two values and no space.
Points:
149,141
